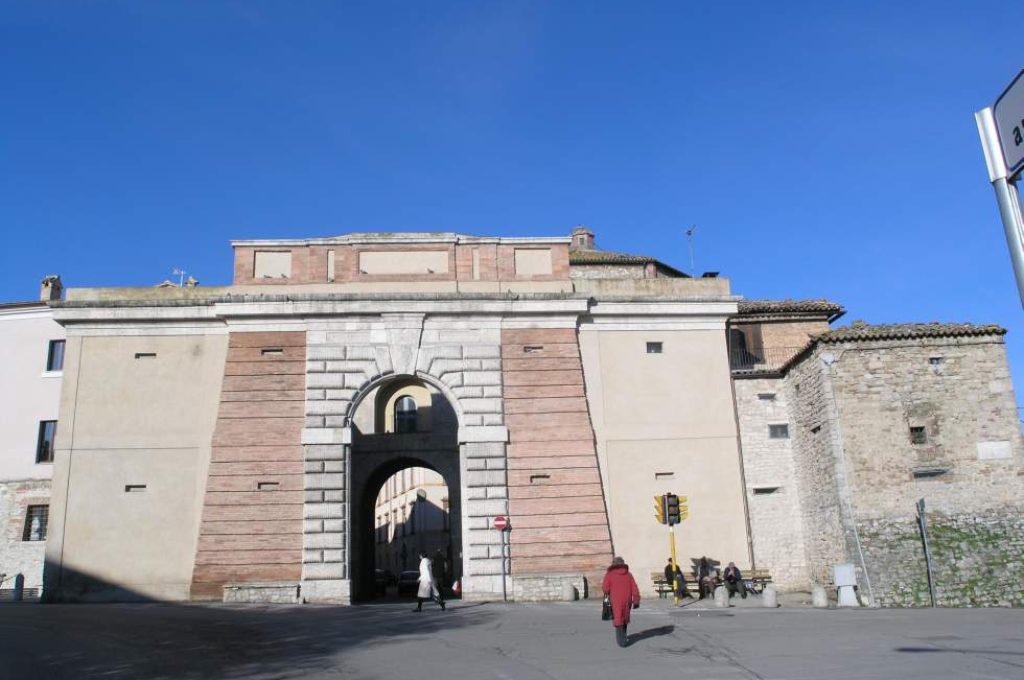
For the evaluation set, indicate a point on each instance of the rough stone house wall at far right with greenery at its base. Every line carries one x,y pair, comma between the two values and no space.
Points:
970,471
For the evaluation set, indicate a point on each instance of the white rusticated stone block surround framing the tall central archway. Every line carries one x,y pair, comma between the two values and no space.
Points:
347,357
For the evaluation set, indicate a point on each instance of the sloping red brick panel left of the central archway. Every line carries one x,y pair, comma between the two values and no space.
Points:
251,529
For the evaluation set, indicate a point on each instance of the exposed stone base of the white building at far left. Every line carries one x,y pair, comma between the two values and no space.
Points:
18,557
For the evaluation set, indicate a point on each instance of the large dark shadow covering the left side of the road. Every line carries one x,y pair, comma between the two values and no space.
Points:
159,641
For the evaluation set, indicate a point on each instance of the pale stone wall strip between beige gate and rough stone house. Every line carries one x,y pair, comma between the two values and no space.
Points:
777,526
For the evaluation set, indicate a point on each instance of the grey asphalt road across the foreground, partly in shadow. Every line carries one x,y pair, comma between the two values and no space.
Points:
526,643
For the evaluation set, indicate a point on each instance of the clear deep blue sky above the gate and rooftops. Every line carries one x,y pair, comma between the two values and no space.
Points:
822,150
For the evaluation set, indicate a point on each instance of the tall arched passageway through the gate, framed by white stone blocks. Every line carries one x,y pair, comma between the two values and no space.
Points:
390,439
